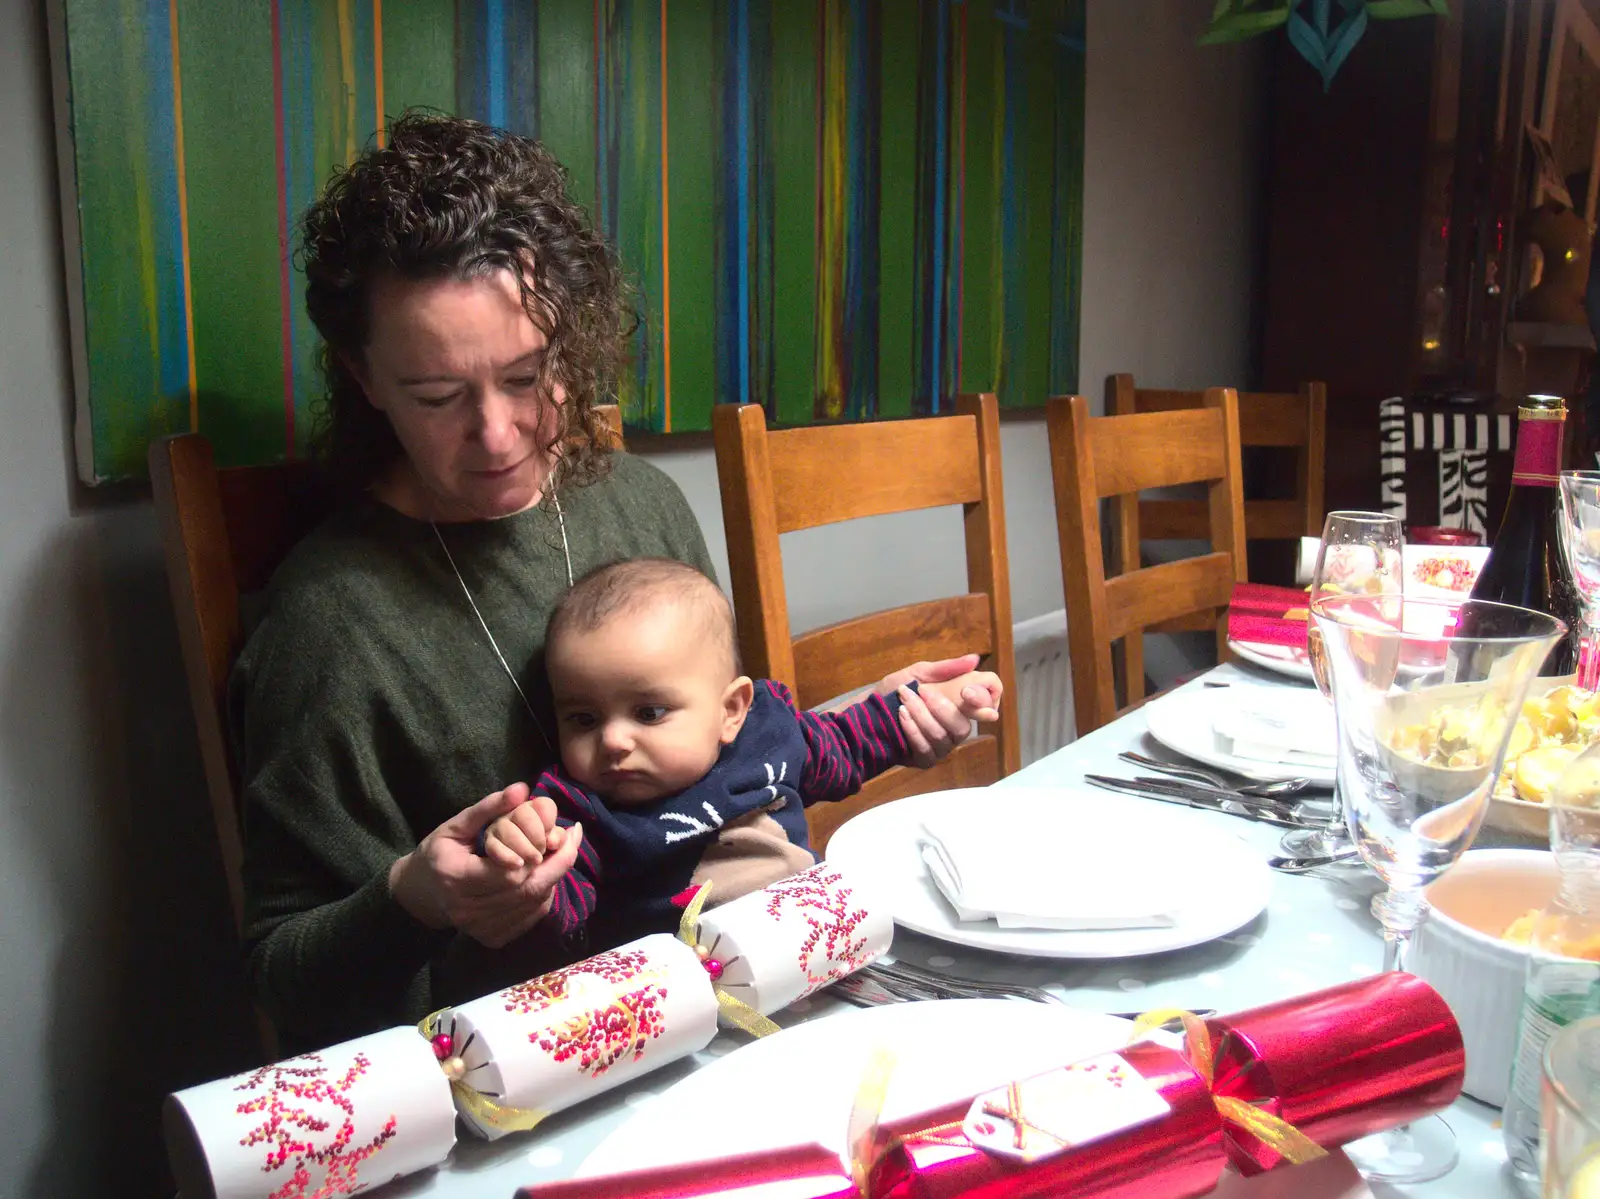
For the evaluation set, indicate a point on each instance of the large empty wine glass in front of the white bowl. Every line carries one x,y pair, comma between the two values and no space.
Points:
1426,697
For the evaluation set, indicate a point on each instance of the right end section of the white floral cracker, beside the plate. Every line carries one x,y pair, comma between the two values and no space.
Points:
788,940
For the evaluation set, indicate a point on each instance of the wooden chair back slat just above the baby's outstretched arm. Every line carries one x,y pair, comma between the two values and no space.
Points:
833,660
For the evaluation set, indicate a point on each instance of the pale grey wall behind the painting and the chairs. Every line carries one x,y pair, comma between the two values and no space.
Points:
118,976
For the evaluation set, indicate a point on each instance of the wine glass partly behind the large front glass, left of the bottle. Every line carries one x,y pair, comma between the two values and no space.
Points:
1361,555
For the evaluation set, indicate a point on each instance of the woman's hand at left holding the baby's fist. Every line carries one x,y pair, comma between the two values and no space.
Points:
446,884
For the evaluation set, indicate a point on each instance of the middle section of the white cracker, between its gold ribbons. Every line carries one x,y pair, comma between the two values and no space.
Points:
574,1033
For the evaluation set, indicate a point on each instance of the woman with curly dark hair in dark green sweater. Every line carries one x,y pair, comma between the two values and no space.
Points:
471,323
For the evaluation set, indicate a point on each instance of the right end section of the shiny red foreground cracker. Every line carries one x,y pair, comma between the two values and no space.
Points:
1340,1064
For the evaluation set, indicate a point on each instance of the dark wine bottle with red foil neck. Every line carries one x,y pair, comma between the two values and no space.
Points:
1527,566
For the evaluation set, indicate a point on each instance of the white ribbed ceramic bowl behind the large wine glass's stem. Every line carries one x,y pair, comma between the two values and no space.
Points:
1462,953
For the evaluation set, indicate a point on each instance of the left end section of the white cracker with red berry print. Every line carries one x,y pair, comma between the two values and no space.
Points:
329,1123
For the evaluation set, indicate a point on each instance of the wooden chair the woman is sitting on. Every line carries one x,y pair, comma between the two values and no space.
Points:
225,532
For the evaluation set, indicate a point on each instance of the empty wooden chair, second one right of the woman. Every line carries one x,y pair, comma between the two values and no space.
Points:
1094,459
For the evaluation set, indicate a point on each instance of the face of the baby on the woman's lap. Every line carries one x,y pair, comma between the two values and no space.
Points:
642,705
